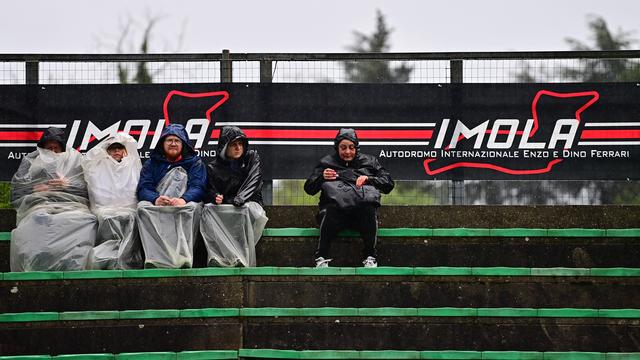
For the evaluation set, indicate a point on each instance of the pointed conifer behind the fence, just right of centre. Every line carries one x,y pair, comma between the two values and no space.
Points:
375,71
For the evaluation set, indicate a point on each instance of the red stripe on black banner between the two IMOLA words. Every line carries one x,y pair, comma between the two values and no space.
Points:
331,134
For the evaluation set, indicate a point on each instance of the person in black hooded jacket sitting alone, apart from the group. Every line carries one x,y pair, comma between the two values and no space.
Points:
355,169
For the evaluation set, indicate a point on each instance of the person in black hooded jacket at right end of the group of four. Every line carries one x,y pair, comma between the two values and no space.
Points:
233,218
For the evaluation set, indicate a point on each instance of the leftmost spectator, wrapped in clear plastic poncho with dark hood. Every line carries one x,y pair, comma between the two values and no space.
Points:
55,229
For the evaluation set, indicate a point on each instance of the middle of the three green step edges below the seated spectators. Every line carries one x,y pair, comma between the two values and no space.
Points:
318,312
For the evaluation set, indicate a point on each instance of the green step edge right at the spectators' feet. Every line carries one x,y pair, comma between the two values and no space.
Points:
331,271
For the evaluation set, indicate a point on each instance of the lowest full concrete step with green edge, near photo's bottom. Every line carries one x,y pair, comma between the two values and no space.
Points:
477,329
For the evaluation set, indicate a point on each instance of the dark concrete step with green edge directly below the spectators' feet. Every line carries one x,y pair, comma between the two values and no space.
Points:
310,287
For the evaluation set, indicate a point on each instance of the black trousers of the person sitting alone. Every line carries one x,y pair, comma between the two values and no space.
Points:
332,219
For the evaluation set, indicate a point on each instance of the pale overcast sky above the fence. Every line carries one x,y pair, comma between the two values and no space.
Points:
83,26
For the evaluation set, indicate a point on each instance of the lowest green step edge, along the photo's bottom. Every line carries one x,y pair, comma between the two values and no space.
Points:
343,354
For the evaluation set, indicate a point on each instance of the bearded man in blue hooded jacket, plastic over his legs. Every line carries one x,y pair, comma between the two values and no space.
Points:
171,187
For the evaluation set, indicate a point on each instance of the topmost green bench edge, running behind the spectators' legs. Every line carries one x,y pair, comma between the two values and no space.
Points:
448,232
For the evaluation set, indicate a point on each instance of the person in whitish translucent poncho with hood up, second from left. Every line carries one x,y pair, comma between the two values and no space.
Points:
112,169
